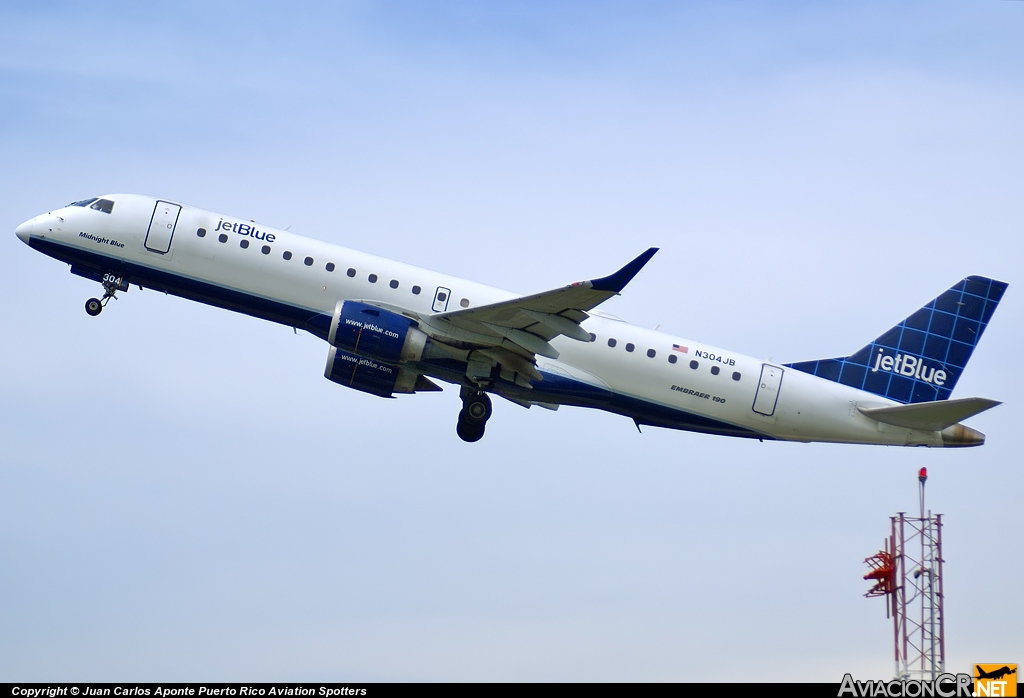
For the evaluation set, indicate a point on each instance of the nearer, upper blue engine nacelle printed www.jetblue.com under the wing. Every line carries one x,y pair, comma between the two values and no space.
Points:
368,331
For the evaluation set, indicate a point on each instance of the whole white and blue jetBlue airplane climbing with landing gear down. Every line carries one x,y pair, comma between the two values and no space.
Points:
394,327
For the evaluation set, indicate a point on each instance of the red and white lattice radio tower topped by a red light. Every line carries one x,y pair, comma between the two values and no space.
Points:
909,573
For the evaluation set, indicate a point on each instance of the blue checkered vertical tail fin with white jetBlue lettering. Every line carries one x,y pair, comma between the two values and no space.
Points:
920,360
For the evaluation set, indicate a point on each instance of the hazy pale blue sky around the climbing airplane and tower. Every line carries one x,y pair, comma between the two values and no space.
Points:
185,497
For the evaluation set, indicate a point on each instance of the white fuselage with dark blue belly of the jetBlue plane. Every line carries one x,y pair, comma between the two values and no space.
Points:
652,377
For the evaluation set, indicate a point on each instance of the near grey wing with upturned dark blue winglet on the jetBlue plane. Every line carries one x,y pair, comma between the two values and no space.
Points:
527,325
